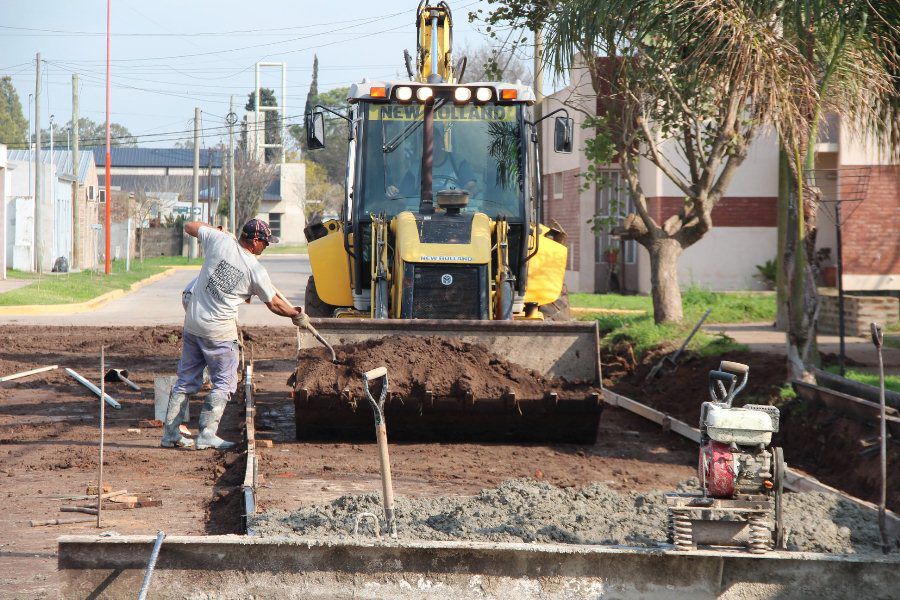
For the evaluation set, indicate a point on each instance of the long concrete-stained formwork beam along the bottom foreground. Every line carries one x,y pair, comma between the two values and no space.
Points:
246,566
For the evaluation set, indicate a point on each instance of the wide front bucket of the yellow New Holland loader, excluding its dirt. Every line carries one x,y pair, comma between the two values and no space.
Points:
568,351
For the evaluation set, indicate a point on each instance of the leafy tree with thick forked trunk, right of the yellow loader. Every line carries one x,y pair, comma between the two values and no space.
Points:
683,84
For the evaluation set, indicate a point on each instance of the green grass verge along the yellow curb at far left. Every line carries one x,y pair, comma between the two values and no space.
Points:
69,288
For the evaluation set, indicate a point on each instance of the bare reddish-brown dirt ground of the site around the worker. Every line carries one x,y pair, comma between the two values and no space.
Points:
49,434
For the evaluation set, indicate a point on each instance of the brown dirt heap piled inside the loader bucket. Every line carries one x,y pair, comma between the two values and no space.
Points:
449,368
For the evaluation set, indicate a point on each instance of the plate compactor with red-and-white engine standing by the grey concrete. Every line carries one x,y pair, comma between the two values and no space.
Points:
741,474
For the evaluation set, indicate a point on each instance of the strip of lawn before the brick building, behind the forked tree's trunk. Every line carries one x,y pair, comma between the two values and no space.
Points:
727,307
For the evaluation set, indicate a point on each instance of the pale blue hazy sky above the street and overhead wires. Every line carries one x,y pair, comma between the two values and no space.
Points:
171,56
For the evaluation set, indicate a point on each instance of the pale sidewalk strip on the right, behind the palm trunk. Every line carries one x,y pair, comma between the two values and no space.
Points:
762,337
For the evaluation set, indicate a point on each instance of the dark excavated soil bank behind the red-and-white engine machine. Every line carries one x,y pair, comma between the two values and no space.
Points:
823,443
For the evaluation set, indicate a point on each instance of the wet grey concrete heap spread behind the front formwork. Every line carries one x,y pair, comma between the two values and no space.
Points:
531,511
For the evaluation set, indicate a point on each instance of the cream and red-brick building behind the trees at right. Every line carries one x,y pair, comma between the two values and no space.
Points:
744,232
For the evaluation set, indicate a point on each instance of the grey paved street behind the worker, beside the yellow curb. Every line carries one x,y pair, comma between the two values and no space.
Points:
159,303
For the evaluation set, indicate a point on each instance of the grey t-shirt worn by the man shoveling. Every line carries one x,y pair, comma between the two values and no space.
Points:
229,276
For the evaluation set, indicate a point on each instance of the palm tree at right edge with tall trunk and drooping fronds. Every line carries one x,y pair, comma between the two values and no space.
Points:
852,50
